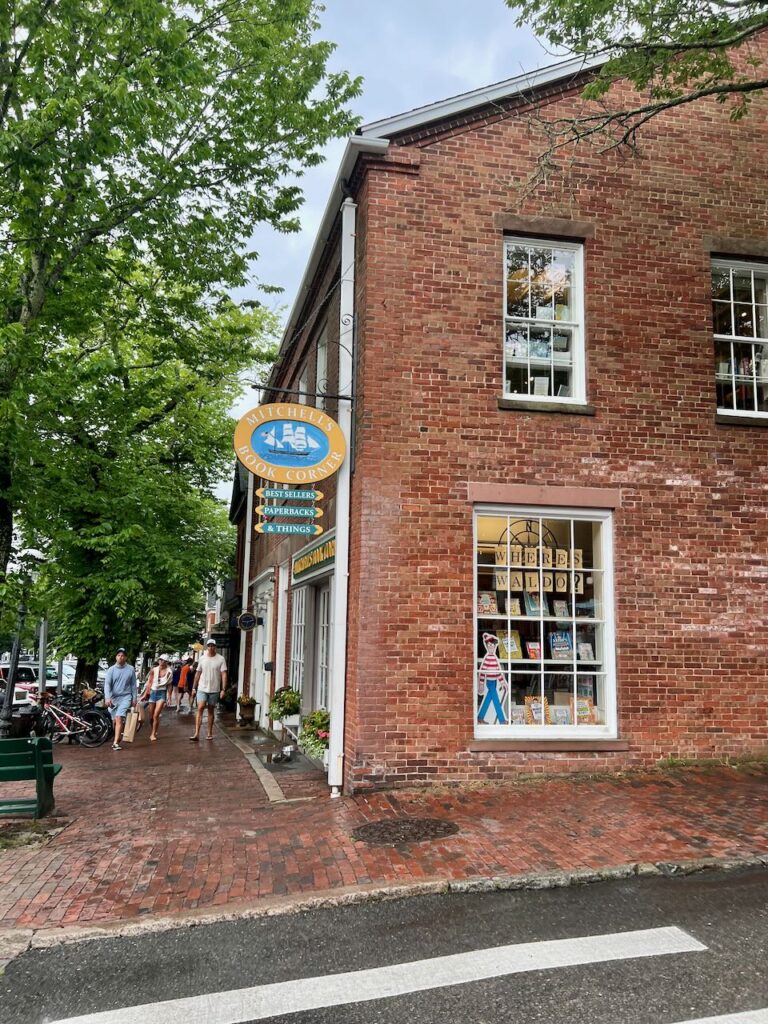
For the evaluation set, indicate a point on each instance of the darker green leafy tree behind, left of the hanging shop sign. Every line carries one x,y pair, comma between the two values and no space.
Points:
132,431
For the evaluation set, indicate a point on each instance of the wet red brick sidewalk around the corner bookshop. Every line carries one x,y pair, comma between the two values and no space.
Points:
175,827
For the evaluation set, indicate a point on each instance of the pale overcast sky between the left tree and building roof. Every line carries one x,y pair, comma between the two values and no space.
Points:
409,54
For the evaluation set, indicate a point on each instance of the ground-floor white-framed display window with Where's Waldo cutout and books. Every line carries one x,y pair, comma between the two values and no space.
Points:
544,624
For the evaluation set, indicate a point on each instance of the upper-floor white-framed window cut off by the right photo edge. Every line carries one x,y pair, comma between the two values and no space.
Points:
740,315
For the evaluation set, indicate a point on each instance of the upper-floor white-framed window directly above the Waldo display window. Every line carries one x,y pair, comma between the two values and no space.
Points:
544,321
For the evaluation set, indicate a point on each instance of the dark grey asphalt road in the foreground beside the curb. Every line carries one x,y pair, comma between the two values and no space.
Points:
724,917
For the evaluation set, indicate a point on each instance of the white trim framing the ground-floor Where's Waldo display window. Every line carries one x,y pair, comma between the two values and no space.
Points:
587,734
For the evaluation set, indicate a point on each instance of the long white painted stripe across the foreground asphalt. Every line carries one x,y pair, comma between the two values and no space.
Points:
264,1002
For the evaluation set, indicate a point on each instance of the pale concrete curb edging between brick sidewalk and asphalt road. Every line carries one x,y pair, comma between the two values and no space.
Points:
14,943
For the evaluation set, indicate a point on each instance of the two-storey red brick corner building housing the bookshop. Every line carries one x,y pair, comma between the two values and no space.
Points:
554,529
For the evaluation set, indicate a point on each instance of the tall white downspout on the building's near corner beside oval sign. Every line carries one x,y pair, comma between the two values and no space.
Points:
342,571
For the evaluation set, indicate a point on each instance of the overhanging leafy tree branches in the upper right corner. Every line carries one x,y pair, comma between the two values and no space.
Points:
673,52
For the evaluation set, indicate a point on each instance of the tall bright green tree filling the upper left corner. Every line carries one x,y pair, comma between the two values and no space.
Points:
146,132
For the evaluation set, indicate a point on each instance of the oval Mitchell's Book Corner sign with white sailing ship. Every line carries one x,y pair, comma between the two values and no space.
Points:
289,444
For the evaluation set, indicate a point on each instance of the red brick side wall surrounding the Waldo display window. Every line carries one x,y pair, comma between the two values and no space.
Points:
691,538
